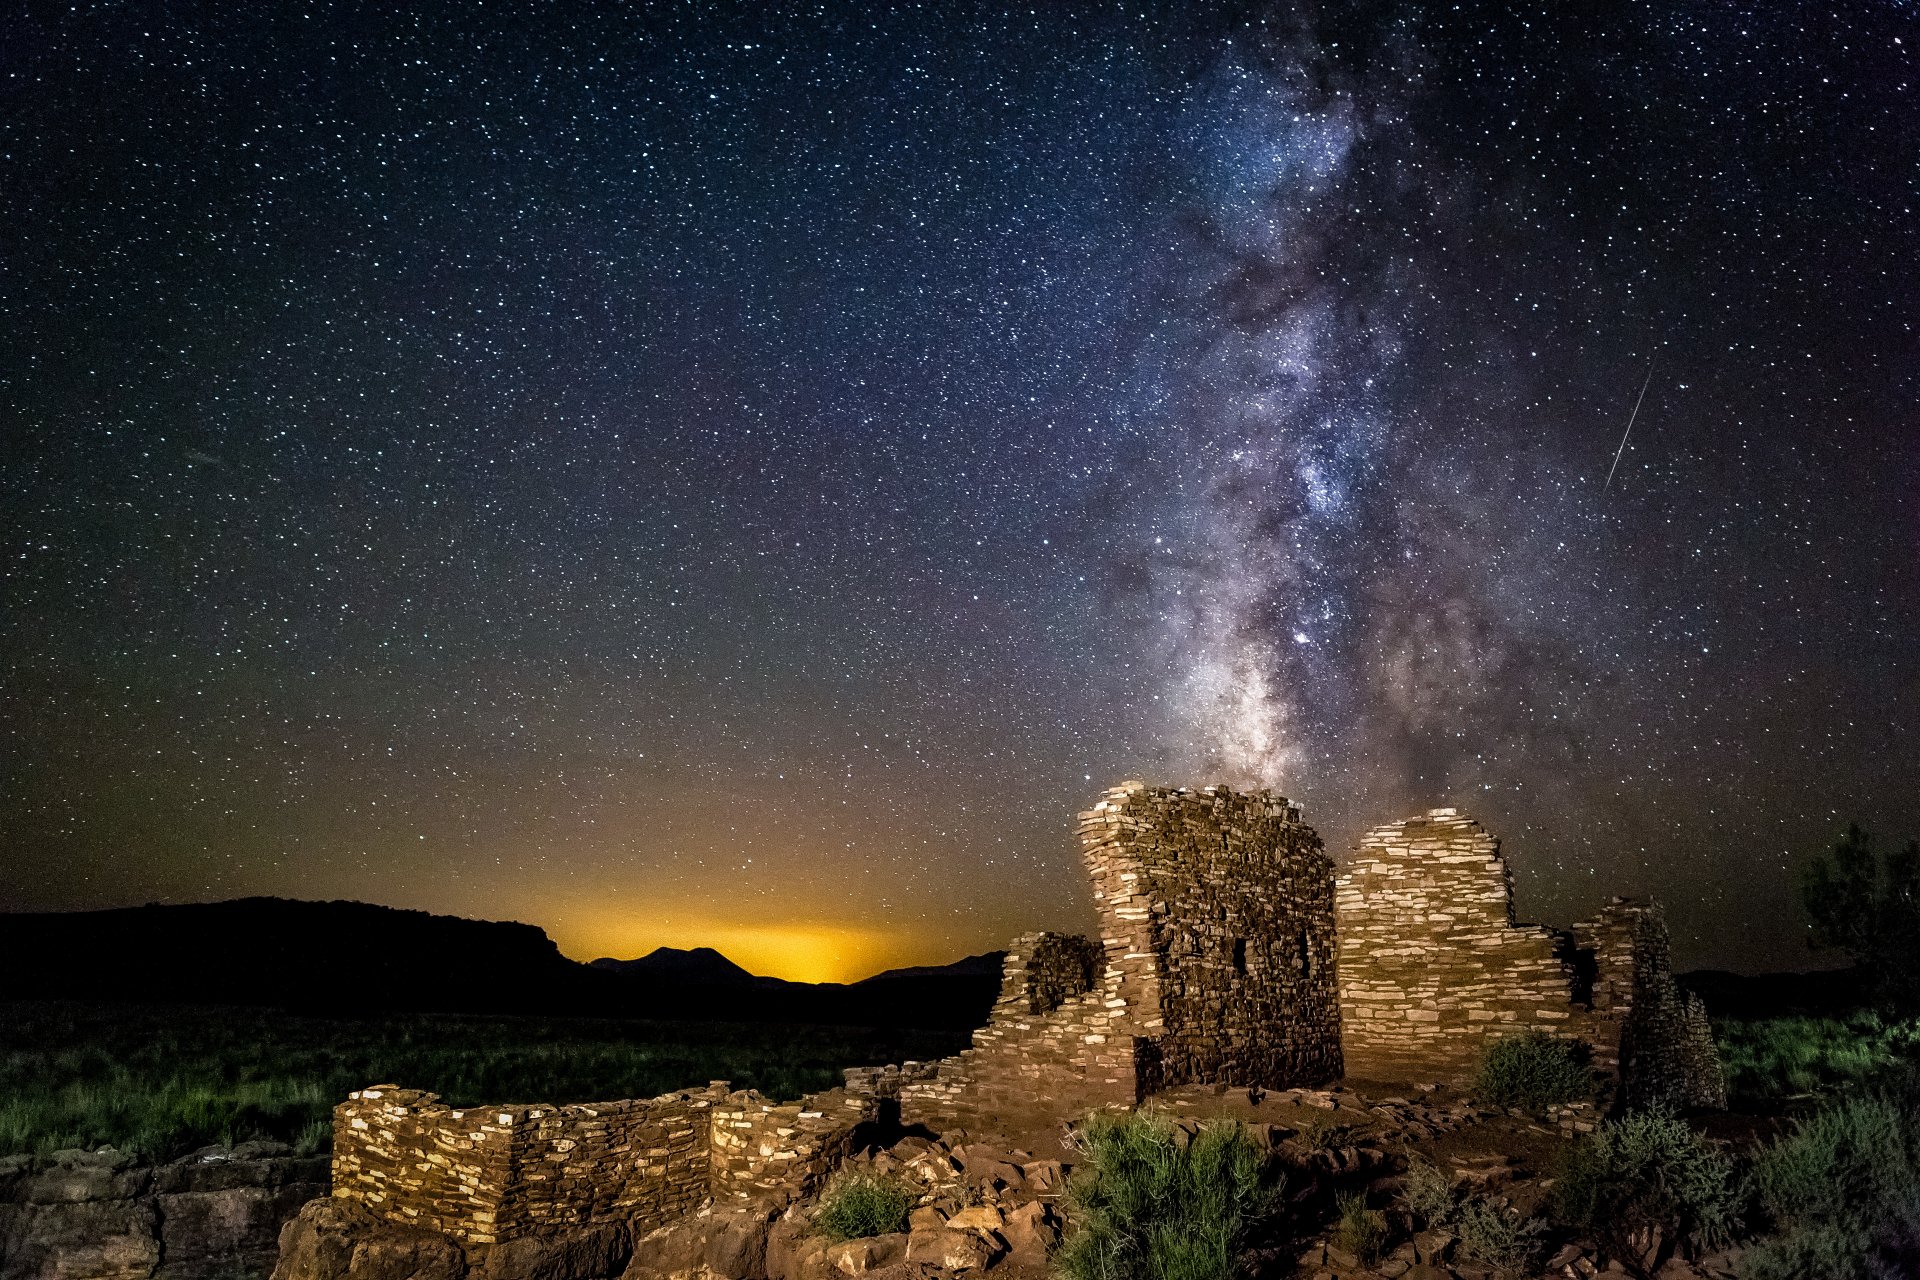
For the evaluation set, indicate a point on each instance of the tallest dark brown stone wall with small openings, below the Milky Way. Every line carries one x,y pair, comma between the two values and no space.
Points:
1216,909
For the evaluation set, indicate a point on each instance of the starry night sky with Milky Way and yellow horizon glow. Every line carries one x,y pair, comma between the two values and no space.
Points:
748,475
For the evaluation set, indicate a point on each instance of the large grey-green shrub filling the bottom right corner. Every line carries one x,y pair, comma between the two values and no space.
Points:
1842,1195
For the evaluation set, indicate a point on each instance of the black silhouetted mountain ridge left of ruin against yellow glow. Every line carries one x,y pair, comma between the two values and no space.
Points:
356,957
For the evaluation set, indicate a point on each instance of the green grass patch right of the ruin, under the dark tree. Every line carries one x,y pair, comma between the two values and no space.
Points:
1777,1060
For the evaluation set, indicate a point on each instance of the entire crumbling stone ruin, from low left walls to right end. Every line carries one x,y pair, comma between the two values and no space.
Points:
1232,953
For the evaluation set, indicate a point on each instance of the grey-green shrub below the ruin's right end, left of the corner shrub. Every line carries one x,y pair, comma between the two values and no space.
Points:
1648,1172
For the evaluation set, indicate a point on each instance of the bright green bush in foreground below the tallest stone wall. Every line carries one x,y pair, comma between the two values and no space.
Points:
1147,1206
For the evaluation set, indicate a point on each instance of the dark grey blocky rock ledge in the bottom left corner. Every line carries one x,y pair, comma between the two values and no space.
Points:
99,1216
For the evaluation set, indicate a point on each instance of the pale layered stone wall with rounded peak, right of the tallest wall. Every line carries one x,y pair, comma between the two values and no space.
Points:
1431,960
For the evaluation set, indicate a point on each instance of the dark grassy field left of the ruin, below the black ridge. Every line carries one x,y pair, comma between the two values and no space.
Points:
162,1081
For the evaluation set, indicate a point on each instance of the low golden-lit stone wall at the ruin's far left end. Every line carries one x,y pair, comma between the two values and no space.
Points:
489,1175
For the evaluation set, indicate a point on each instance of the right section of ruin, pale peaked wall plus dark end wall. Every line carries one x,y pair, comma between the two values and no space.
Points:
1433,966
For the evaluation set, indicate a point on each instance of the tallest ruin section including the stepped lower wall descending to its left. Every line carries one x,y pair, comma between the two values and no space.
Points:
1214,964
